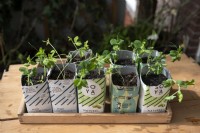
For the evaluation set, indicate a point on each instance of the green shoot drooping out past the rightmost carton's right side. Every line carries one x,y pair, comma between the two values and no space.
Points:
180,83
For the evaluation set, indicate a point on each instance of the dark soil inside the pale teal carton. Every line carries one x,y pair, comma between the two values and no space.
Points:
124,80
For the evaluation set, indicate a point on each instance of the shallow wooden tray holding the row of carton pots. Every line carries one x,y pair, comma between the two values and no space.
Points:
77,118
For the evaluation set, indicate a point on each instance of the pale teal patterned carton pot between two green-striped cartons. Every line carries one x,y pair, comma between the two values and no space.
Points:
124,98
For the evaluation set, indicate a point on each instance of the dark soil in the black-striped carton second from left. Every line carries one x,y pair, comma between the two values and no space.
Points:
67,73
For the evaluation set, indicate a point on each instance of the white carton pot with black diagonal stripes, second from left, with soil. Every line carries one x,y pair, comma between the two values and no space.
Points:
62,89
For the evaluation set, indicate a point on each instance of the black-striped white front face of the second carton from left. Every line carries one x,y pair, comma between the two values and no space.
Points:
63,96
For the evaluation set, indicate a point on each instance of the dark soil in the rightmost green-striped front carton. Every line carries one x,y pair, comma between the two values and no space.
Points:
153,79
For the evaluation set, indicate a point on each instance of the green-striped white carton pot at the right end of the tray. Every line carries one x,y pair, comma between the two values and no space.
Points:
152,98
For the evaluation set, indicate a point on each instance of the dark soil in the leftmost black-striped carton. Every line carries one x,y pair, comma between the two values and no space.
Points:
35,80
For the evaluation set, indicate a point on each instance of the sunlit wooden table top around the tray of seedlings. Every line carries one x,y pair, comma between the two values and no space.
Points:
186,115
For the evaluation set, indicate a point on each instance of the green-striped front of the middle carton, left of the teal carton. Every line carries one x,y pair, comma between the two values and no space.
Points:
91,98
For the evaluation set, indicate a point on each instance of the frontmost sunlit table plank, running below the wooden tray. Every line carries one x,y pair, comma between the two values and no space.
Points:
16,127
